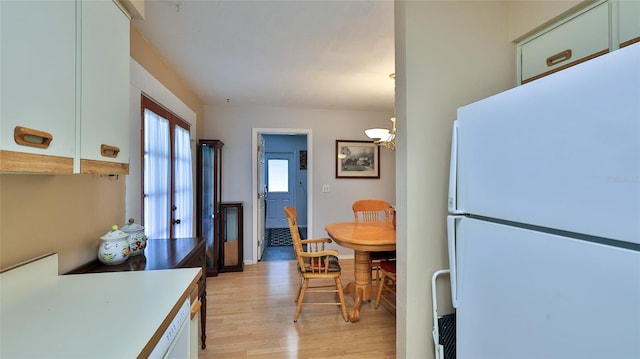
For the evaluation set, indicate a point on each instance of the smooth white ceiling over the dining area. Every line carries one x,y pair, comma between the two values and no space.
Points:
333,54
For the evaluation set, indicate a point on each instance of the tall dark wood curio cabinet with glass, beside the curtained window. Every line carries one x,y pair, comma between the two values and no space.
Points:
209,187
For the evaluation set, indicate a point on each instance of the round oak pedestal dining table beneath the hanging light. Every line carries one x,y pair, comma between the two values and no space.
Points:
363,238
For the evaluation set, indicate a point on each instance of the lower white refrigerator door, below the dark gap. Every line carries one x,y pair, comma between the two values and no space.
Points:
525,294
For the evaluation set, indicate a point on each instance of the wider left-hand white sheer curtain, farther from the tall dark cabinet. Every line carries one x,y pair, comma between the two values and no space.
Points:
157,176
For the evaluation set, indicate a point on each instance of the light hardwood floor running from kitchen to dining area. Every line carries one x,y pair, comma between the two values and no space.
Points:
250,315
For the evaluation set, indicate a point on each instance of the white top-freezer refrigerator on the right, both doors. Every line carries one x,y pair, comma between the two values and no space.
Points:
544,216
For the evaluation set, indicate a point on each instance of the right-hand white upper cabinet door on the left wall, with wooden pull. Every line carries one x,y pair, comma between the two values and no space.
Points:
105,88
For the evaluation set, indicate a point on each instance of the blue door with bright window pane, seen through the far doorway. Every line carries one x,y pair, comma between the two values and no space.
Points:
280,187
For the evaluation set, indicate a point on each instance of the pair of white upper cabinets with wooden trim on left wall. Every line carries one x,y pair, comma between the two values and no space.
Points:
65,87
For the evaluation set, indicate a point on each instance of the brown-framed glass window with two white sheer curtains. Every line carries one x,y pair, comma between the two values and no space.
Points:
167,173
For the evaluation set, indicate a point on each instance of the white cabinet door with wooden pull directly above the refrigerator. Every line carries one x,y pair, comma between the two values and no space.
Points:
576,40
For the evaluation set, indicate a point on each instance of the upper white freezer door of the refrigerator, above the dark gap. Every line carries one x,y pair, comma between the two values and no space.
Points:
560,152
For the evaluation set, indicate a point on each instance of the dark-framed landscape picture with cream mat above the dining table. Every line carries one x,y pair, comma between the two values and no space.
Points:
357,159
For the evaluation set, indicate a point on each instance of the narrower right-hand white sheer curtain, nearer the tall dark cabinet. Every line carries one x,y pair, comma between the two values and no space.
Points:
183,185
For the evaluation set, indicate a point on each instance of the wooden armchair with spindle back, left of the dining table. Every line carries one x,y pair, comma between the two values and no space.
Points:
315,262
